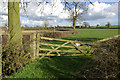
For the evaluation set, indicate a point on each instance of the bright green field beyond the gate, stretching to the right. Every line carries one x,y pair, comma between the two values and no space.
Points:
90,35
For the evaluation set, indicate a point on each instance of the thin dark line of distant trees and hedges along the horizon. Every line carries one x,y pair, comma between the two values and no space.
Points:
59,28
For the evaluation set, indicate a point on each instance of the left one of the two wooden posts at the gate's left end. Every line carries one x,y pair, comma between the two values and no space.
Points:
33,44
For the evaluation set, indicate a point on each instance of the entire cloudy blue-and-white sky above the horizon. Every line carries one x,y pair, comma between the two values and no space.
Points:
100,13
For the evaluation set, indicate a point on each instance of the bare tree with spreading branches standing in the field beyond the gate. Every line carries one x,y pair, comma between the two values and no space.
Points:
76,9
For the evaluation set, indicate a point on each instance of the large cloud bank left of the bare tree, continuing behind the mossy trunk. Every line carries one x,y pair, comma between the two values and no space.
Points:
37,13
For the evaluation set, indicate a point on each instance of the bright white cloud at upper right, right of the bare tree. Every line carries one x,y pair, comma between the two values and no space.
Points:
101,11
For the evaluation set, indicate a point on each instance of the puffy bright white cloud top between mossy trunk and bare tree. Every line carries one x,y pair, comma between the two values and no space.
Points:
49,11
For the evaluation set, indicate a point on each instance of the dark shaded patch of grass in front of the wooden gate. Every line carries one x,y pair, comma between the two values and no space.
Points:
63,67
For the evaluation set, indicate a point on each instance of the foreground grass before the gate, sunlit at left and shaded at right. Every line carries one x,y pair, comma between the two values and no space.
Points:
55,67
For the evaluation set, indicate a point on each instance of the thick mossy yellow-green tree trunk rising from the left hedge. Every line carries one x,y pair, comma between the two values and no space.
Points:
15,34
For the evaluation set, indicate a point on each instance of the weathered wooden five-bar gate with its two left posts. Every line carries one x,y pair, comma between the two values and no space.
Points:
44,47
